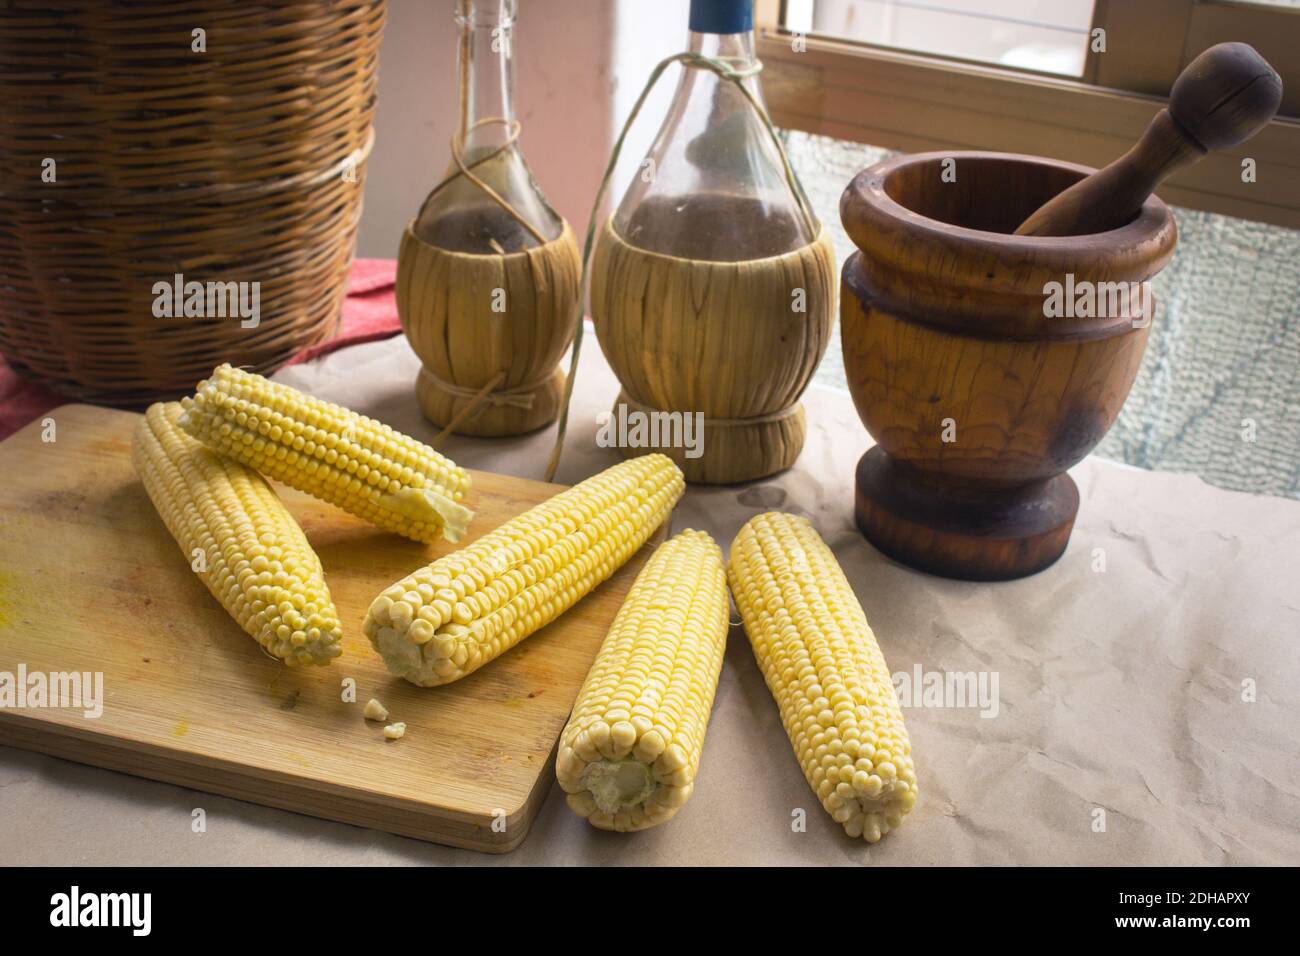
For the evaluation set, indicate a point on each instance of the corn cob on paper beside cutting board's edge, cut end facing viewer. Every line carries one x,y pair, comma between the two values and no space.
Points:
631,750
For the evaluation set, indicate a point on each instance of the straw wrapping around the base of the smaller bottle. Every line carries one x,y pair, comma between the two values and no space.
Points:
469,335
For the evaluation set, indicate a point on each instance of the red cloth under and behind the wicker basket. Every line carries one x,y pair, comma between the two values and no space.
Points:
370,313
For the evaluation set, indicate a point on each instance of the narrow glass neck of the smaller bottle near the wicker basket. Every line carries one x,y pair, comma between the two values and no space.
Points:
487,60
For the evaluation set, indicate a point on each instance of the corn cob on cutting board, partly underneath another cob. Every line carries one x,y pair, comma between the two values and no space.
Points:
255,560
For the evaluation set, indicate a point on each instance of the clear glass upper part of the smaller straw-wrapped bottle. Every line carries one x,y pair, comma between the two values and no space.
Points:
458,215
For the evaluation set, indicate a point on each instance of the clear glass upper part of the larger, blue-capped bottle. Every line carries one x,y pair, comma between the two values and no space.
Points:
713,187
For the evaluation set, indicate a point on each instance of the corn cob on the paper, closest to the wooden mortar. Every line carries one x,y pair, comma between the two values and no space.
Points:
826,672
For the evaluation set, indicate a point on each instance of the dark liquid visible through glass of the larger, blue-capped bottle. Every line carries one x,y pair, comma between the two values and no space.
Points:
716,228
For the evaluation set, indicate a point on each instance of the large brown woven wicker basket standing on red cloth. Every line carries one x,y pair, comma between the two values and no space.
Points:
228,166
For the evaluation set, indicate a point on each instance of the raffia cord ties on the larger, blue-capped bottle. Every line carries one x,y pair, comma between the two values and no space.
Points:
725,71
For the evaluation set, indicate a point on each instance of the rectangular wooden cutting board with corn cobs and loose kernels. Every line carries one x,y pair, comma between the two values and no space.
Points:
90,581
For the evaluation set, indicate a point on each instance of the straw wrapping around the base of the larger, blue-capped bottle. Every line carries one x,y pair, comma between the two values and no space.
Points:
721,339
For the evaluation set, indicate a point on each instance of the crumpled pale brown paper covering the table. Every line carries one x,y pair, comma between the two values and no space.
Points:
1119,690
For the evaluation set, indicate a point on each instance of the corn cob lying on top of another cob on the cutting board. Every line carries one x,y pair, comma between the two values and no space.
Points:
331,453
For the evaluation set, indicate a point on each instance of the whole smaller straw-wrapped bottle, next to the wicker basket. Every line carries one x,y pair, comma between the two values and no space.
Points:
487,295
